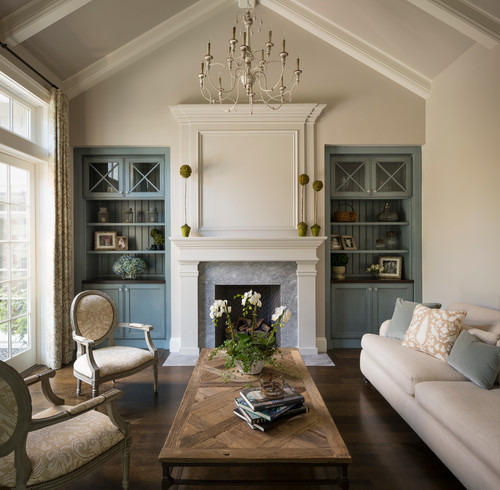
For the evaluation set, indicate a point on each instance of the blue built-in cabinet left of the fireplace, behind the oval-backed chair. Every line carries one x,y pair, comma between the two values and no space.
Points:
123,180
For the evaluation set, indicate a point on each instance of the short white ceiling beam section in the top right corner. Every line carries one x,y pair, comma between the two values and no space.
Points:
465,18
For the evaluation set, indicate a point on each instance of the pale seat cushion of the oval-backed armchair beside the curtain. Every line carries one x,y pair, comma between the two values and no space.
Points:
113,360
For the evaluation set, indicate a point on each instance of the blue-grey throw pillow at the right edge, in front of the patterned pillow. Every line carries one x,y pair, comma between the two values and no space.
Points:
476,360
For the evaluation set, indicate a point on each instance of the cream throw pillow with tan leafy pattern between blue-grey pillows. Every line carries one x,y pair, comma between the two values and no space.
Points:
433,331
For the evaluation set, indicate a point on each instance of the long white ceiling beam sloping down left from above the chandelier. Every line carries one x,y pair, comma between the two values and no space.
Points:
142,45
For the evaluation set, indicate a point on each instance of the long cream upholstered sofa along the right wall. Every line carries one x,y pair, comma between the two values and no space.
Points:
456,418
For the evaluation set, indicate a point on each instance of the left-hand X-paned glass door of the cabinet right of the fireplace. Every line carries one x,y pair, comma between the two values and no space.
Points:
350,176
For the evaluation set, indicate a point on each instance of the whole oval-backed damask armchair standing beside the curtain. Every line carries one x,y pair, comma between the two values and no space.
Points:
94,319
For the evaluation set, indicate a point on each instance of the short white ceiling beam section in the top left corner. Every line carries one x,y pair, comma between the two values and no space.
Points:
34,17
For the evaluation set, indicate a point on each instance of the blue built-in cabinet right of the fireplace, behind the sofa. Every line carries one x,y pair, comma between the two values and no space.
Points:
362,179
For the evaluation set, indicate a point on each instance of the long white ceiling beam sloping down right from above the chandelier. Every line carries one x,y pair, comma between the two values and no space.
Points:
352,45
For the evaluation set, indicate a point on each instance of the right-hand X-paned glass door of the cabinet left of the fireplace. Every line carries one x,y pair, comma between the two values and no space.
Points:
145,177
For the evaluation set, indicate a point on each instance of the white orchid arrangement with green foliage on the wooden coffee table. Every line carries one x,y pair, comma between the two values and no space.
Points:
249,352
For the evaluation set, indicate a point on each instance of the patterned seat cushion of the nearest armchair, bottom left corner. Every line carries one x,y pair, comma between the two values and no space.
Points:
62,448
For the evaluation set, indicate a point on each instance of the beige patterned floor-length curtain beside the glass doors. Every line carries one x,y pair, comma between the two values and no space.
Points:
59,342
